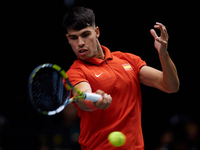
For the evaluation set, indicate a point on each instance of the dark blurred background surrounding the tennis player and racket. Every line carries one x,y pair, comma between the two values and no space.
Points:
32,34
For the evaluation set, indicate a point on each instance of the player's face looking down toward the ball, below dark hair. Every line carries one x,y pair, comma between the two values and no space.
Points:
84,42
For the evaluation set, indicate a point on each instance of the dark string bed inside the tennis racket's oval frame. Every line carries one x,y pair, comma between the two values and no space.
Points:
48,89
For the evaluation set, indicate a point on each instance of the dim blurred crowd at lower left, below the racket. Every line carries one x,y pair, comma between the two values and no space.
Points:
40,132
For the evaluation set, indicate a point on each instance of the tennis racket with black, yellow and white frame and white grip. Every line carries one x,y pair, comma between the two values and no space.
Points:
49,89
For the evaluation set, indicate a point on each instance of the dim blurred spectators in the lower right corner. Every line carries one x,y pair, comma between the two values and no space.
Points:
183,134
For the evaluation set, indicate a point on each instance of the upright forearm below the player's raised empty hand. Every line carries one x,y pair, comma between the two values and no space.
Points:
170,76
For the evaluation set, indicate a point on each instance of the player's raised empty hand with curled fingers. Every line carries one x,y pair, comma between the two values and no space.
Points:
161,43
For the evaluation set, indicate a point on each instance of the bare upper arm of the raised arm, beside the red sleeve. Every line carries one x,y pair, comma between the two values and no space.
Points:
151,77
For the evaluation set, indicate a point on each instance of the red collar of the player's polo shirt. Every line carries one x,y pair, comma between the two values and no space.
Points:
96,61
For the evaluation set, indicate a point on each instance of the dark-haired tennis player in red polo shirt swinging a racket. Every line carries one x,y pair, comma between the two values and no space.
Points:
117,77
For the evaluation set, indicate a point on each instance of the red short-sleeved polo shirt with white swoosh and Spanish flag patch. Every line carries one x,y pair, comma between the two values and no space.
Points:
117,75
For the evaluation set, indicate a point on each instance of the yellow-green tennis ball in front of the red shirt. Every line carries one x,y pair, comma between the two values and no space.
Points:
117,138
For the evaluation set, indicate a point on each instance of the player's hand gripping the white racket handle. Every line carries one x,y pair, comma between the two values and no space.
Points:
104,102
